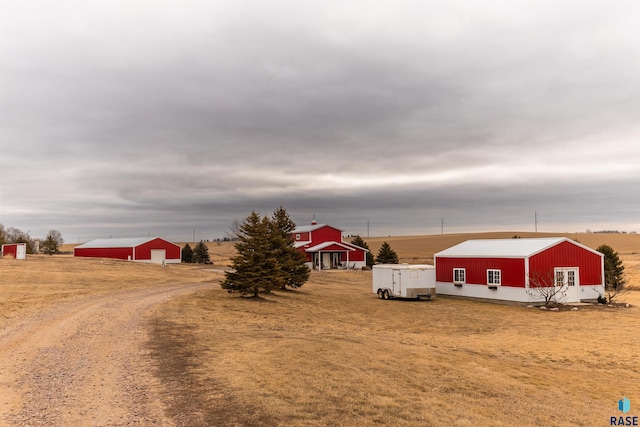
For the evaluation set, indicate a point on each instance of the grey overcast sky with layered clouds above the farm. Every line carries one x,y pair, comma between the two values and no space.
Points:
136,118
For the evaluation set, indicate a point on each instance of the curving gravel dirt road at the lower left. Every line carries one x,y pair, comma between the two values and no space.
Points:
84,362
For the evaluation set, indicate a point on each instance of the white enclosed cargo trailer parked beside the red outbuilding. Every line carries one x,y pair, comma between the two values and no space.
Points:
404,281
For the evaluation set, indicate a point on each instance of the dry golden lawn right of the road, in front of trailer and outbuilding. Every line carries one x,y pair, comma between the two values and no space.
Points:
332,353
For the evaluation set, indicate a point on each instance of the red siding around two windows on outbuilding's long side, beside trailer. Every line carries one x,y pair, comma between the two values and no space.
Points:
512,270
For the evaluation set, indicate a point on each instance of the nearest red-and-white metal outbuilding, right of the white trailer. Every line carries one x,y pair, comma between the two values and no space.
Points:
516,269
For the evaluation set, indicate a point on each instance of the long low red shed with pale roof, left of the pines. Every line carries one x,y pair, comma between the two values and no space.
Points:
145,249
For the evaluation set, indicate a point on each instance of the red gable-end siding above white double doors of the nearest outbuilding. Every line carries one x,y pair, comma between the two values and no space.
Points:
567,254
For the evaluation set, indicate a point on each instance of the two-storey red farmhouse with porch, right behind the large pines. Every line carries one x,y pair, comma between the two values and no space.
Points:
324,248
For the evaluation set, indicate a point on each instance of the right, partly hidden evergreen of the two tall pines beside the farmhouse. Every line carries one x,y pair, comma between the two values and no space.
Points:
292,262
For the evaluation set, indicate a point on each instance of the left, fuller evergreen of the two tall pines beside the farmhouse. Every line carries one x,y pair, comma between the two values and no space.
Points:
255,266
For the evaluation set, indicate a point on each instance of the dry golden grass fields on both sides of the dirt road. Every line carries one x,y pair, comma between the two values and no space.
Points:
332,353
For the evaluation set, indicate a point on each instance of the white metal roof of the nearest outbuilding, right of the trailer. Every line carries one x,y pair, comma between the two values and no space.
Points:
502,248
